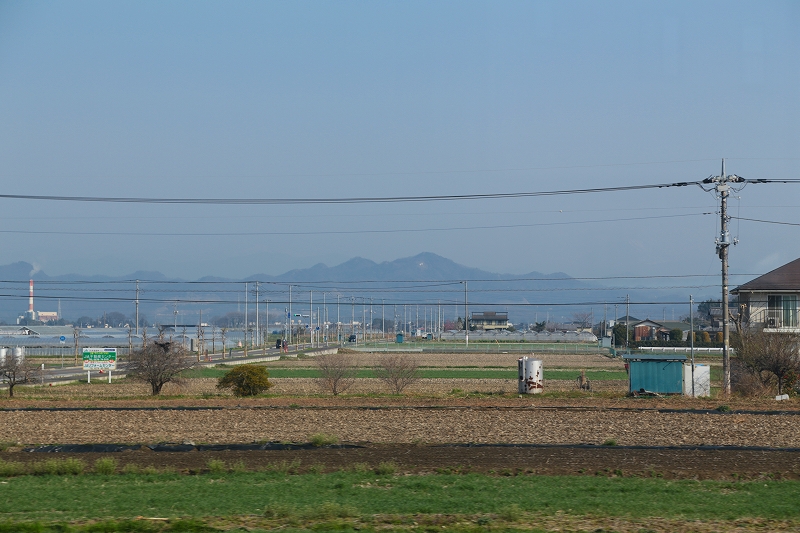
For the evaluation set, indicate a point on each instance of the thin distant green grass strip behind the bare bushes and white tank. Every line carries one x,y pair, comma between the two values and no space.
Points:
428,373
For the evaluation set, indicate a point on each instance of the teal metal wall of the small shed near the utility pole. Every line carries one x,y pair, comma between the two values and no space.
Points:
662,373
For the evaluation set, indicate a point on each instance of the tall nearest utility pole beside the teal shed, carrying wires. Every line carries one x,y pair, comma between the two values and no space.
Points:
721,184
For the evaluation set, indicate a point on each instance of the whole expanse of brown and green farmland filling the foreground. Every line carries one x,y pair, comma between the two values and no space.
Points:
459,448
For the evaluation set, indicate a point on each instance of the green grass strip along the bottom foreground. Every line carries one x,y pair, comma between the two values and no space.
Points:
363,496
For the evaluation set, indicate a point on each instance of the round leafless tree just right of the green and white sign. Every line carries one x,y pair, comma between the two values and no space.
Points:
161,362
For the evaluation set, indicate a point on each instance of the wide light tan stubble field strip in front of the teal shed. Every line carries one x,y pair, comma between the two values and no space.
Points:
438,425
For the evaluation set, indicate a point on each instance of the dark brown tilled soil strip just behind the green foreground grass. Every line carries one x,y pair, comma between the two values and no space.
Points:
722,464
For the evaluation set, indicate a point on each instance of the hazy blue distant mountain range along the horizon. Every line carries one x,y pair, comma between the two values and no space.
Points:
423,278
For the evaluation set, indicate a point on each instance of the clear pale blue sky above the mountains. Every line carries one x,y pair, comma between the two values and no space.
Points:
339,99
